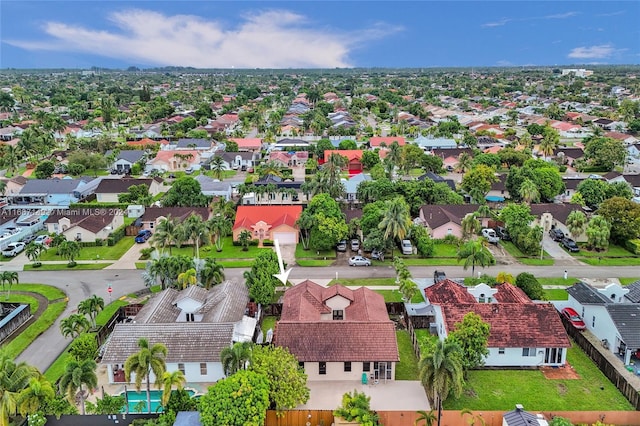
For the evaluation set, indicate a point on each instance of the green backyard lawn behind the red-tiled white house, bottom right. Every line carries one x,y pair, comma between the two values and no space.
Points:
503,389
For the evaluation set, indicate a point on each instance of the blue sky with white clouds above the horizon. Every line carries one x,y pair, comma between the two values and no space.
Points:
316,34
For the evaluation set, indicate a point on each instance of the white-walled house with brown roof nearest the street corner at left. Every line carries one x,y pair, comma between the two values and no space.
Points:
84,224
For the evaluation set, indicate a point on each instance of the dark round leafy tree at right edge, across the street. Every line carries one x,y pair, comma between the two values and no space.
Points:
624,217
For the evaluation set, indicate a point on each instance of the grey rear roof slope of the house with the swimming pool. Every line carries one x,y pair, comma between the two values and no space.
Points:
185,342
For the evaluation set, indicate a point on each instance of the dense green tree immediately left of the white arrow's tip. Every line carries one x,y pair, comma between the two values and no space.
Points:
260,280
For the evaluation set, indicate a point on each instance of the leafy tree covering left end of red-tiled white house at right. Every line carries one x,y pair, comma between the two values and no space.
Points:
471,335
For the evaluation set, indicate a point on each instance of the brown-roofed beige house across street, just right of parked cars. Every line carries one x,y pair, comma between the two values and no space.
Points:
446,219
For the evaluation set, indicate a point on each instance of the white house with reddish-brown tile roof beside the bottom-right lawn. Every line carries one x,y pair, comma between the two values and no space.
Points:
505,308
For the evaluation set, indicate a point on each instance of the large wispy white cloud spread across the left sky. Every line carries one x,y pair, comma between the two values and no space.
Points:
267,39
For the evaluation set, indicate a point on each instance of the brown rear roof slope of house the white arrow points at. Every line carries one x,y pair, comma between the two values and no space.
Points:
338,341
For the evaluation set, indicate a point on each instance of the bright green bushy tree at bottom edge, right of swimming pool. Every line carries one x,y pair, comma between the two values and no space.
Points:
239,400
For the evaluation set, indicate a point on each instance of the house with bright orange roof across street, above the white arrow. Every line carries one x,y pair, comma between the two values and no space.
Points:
268,222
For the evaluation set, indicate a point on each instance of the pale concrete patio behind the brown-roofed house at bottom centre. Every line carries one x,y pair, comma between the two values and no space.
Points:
394,395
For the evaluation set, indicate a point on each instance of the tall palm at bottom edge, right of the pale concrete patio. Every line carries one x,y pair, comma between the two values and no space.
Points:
441,372
